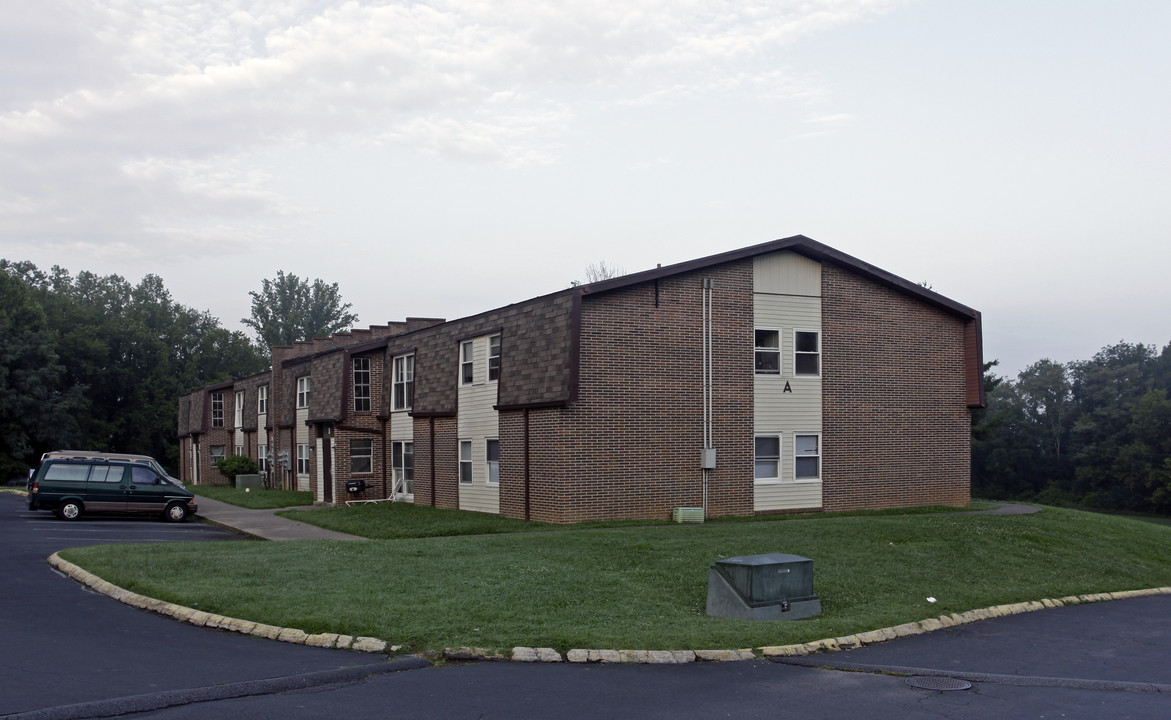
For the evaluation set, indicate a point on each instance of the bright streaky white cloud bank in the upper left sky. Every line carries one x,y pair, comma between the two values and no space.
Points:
140,119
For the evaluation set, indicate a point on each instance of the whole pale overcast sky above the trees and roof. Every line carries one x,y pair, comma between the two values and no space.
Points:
442,159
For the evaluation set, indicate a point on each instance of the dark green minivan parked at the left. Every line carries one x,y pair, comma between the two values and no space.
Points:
74,486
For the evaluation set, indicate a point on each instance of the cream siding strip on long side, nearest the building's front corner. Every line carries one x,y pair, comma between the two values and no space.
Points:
478,422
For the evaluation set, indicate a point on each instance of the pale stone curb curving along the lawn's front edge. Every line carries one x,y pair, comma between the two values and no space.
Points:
549,655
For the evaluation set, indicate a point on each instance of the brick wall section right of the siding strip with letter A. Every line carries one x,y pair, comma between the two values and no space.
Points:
896,424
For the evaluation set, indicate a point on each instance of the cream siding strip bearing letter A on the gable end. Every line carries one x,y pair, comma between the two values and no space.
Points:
787,299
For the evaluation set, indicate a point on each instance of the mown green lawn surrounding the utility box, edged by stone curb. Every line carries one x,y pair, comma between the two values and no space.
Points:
643,588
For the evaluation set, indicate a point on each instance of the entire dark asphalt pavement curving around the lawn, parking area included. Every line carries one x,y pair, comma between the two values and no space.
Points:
60,644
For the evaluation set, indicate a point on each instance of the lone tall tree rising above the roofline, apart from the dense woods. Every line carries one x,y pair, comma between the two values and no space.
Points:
289,310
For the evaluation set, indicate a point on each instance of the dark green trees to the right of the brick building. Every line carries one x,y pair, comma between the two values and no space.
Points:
1094,434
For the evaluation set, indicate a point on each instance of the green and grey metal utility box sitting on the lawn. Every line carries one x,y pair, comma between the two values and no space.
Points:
773,587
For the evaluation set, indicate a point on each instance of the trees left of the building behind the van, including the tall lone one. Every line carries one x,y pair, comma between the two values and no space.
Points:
98,364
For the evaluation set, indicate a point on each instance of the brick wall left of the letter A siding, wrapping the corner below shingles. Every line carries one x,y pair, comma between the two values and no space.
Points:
631,445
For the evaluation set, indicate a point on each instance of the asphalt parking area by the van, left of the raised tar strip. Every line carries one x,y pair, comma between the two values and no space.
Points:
63,644
